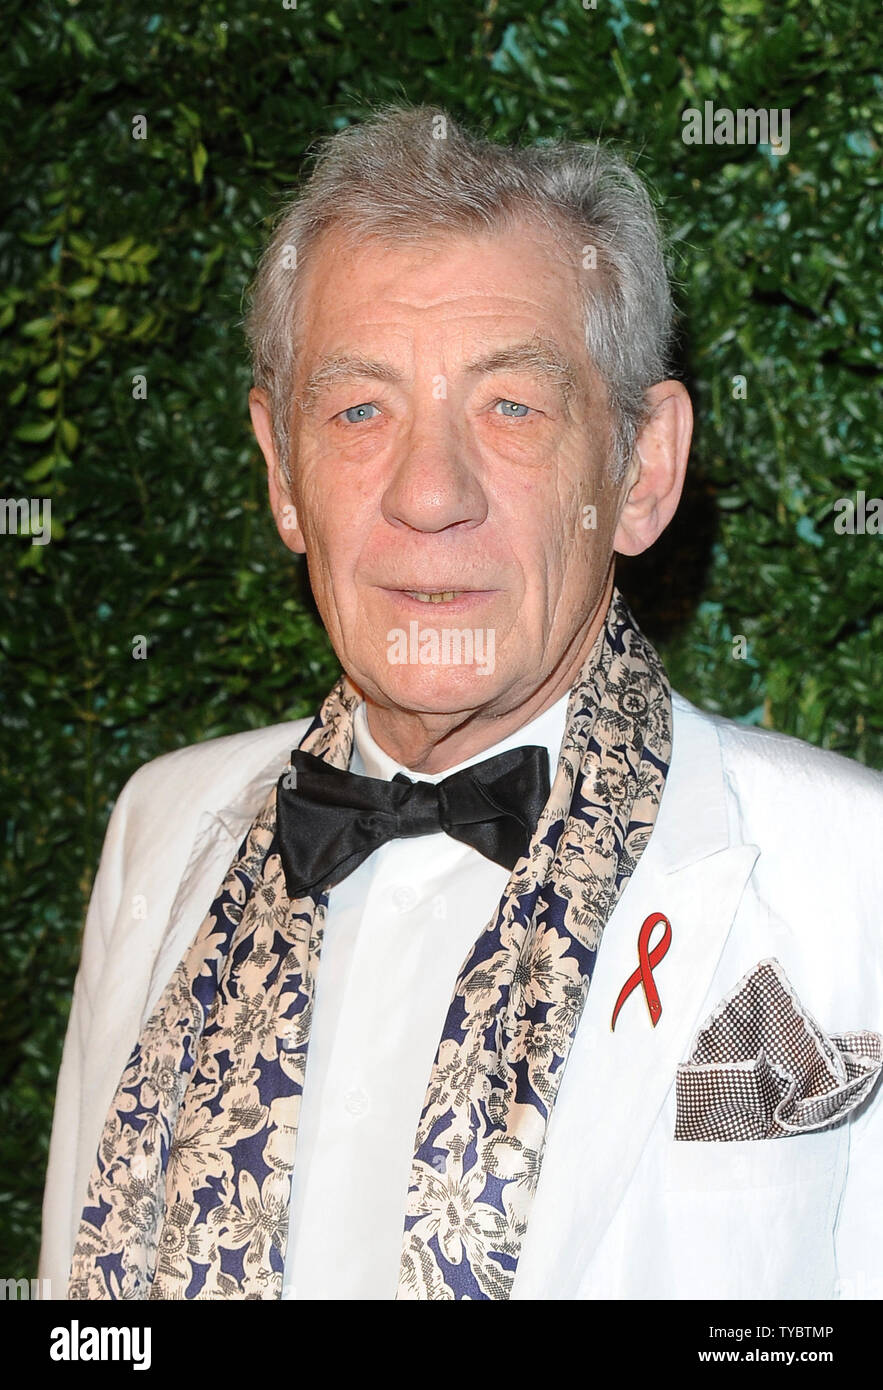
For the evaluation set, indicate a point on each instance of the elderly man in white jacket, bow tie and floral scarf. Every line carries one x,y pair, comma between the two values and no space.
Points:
511,975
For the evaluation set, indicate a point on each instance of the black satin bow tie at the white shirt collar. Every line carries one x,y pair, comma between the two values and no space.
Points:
330,821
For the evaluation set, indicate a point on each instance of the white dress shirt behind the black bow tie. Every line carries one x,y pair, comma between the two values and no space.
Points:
397,933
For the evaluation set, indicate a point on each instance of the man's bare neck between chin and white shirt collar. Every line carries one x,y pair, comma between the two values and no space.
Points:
435,743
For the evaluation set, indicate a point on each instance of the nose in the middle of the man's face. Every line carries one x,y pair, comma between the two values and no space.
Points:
435,482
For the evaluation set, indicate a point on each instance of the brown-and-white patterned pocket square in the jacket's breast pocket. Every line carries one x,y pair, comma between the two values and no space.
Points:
763,1068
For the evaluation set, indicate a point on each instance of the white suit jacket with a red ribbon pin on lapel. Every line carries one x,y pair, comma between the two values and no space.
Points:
764,847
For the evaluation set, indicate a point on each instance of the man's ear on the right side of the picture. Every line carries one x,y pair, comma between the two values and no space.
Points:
656,477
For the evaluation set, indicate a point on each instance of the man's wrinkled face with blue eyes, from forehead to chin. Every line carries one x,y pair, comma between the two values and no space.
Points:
454,441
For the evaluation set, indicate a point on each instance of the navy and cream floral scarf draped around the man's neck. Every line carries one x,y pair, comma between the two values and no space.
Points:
191,1188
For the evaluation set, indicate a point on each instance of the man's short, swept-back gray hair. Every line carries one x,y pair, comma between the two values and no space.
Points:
411,173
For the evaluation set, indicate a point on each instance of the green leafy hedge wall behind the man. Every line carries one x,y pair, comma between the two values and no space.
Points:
120,258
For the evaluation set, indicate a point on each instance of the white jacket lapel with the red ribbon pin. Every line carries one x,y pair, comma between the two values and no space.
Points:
618,1082
